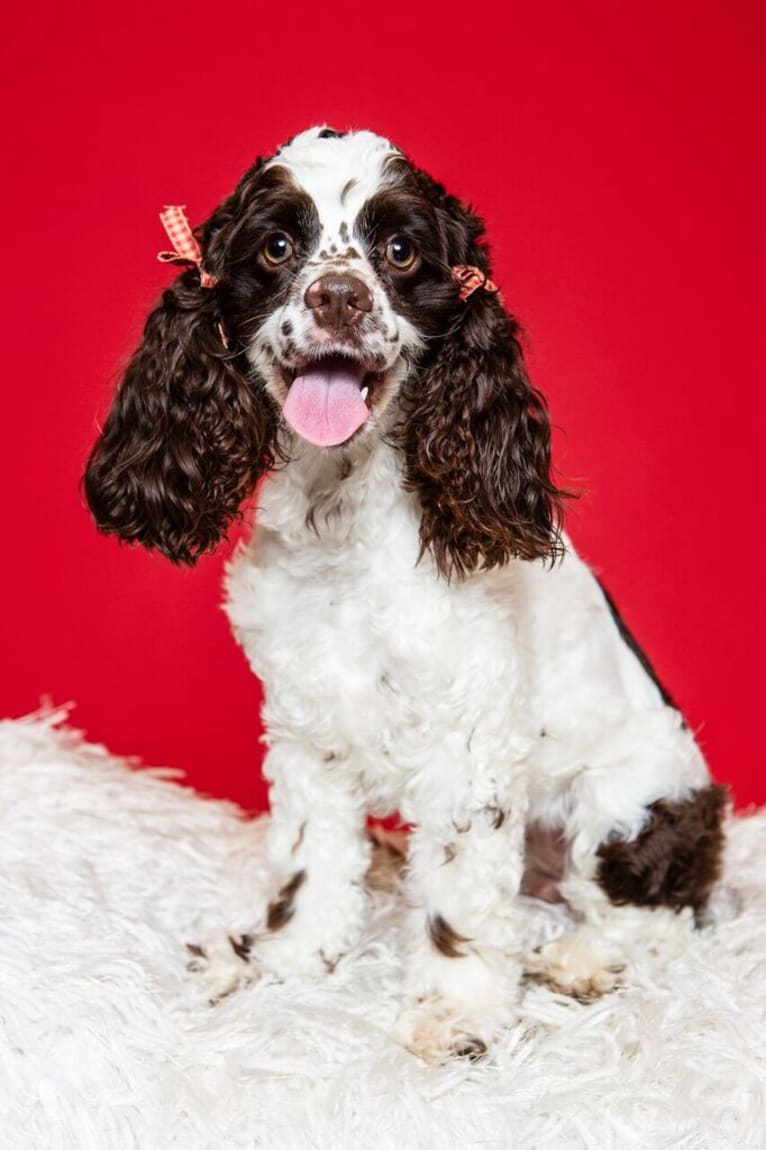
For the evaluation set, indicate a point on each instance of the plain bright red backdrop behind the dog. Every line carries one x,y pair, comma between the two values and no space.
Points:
616,151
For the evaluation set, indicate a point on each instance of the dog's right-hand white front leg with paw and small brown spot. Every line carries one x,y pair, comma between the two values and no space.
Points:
465,873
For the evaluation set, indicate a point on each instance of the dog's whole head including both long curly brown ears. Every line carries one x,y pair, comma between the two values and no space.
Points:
335,318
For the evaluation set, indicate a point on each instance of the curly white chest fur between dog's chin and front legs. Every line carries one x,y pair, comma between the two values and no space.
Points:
365,654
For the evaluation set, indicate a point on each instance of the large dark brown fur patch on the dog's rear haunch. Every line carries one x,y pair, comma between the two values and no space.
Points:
675,861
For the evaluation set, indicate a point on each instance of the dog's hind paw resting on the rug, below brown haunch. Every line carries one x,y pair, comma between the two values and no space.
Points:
576,965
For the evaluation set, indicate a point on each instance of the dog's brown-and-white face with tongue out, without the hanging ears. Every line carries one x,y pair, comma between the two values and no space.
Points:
332,280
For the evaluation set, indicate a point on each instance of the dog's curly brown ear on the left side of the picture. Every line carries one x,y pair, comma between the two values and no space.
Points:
188,435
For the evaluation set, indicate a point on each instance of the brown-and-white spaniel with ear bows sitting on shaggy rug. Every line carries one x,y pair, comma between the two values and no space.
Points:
428,640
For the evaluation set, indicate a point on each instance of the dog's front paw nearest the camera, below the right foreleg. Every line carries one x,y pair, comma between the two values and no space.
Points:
439,1031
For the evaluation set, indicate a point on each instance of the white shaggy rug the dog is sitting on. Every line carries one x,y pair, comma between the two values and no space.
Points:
109,1044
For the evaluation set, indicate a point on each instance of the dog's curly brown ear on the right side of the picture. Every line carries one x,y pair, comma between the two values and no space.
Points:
478,448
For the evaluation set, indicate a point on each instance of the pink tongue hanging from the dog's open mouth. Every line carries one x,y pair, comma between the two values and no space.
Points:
325,403
